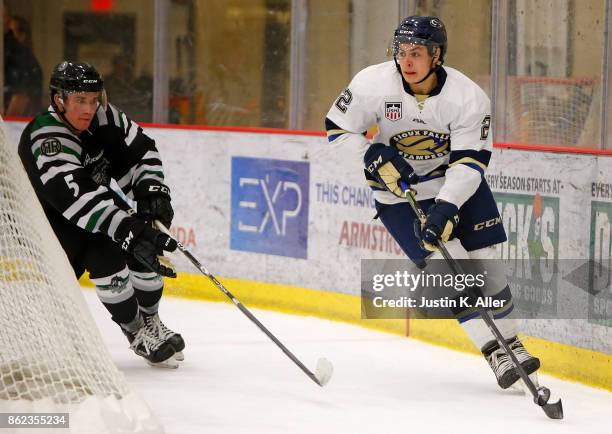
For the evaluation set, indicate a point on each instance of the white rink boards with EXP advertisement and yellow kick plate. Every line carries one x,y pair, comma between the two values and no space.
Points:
285,219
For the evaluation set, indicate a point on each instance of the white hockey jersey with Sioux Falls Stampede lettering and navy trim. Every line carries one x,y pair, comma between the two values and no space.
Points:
444,136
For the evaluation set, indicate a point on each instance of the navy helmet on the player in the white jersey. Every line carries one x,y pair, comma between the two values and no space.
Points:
428,31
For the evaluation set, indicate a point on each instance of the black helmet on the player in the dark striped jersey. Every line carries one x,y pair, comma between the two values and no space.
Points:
68,77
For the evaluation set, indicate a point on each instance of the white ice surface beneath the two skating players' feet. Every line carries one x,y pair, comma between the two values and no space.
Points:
234,380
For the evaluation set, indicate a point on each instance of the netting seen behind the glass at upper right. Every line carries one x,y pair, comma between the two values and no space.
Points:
553,111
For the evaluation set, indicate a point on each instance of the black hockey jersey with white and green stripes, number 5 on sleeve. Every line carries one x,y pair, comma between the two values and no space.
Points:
71,173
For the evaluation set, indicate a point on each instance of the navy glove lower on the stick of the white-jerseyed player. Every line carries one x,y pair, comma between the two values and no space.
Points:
442,219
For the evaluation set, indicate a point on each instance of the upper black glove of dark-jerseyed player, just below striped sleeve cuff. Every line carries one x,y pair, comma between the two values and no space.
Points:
153,200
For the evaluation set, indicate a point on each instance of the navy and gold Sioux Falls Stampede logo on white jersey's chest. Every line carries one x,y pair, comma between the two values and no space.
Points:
421,144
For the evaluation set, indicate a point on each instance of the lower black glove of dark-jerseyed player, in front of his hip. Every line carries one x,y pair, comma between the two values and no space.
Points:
145,243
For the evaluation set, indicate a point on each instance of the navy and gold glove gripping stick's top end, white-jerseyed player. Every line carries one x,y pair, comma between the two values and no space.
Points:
388,167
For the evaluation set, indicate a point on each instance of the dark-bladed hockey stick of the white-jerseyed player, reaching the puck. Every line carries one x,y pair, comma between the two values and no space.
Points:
541,395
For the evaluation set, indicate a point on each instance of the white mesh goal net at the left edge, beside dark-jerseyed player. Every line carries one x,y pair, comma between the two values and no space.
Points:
52,357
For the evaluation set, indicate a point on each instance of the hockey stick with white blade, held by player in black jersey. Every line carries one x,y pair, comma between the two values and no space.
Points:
324,369
